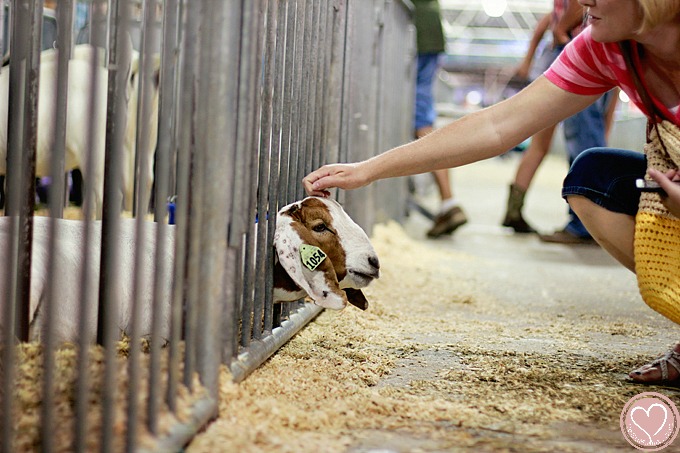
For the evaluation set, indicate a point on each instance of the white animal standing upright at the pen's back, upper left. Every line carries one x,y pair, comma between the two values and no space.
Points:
78,120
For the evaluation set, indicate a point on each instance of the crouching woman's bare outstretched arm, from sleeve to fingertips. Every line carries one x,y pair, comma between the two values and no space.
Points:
480,135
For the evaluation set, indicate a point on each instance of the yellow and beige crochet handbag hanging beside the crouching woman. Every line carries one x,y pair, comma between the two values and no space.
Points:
657,231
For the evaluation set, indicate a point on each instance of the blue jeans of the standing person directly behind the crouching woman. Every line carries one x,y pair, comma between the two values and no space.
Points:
583,131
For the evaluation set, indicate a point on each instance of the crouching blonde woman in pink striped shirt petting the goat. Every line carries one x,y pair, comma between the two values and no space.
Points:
600,186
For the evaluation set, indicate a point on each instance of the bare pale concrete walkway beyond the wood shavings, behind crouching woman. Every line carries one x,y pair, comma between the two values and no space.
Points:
551,277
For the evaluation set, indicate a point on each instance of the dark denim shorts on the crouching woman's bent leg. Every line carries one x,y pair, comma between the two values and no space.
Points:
606,176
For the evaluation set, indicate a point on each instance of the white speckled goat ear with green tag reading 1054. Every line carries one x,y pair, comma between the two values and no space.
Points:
317,277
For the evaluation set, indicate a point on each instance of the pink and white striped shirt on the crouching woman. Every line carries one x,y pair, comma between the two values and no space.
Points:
589,67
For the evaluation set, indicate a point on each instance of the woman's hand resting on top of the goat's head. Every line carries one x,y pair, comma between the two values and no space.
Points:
343,176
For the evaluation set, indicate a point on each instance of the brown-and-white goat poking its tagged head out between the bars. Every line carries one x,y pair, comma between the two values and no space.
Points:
321,252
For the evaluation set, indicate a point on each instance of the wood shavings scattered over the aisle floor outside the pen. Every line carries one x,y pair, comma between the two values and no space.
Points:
434,364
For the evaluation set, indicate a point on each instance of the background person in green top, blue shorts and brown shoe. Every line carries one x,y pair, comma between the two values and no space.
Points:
431,45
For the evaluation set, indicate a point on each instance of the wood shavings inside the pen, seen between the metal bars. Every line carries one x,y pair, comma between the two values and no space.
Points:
28,391
